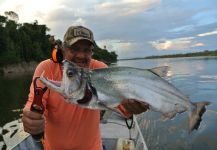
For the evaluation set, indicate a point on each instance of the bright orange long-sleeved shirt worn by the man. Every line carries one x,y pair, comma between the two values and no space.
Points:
67,126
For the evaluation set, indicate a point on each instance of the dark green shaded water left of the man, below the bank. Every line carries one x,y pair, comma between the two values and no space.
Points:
13,94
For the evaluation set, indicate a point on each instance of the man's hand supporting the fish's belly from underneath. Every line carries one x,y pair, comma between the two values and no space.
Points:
128,107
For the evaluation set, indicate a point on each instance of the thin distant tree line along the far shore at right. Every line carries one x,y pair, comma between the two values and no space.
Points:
195,54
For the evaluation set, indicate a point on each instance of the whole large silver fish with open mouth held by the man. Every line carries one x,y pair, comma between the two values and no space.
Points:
107,87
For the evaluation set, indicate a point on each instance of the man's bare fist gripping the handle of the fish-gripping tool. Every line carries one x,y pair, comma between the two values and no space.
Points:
33,122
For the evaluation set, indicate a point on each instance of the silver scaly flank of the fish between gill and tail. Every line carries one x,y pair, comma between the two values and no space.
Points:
130,79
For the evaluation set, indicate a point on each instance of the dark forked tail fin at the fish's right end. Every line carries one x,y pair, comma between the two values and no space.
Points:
196,115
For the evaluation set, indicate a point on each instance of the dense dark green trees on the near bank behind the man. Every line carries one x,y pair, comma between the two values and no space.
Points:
29,42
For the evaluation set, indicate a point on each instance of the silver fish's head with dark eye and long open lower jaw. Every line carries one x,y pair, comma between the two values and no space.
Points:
73,84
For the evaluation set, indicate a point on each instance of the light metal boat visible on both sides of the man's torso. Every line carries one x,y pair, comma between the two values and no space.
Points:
116,132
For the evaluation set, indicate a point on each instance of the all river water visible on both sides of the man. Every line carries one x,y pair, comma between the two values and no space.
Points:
195,77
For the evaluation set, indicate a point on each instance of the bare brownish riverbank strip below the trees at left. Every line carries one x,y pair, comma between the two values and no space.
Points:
18,69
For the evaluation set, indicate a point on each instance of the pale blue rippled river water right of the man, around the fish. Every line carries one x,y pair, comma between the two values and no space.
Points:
196,78
